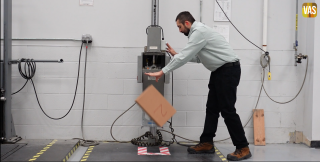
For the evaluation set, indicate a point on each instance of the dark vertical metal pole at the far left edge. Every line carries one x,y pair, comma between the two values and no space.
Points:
7,68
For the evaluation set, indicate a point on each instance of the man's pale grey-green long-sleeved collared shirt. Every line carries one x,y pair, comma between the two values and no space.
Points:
205,46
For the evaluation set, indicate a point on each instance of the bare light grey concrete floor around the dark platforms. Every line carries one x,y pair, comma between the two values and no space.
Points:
270,152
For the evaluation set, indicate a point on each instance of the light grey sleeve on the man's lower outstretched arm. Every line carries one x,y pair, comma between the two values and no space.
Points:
195,44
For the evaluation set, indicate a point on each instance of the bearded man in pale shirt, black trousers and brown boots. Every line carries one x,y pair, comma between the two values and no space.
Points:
208,47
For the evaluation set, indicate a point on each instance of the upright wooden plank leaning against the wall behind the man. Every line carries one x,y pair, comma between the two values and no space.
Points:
258,127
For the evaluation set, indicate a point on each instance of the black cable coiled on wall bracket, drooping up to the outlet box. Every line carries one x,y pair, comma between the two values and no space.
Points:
29,72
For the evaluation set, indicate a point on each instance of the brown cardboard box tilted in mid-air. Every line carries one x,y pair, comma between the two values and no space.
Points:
155,105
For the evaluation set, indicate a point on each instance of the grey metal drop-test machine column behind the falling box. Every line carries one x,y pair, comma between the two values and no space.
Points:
153,59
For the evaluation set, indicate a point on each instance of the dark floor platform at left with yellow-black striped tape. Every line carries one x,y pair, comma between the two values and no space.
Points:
39,150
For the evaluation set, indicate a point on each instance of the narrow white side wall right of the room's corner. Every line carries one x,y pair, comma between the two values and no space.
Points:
309,45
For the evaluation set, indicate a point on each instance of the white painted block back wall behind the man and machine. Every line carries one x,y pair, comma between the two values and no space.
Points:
118,30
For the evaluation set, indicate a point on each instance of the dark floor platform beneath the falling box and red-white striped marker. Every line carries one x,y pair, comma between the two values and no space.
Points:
128,152
